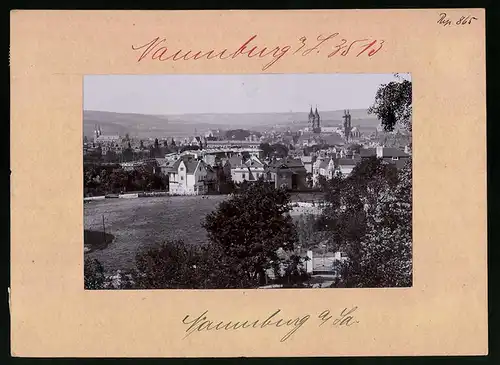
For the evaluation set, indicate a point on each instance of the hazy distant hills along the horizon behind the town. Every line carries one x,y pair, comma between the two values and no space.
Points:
146,126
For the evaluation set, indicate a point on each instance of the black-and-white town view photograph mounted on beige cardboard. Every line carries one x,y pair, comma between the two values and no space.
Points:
255,181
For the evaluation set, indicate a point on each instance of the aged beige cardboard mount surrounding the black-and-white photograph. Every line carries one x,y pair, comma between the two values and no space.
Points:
444,313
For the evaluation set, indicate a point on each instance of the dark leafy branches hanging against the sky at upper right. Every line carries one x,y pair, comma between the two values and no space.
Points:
393,104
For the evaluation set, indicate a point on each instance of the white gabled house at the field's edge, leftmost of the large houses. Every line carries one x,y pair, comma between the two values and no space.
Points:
188,176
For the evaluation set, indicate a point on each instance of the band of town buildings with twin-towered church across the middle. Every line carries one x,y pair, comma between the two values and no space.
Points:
206,161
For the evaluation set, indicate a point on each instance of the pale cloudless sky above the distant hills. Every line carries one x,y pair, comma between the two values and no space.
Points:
256,93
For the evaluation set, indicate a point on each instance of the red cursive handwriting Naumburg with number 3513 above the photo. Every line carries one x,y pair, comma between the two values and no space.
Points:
157,49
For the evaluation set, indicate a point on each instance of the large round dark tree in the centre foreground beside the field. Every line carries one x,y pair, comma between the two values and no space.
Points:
251,227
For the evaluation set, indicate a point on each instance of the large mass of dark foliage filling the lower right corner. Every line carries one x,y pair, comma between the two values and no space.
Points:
369,218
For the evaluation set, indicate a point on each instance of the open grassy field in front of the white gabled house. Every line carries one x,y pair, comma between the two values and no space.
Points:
132,224
